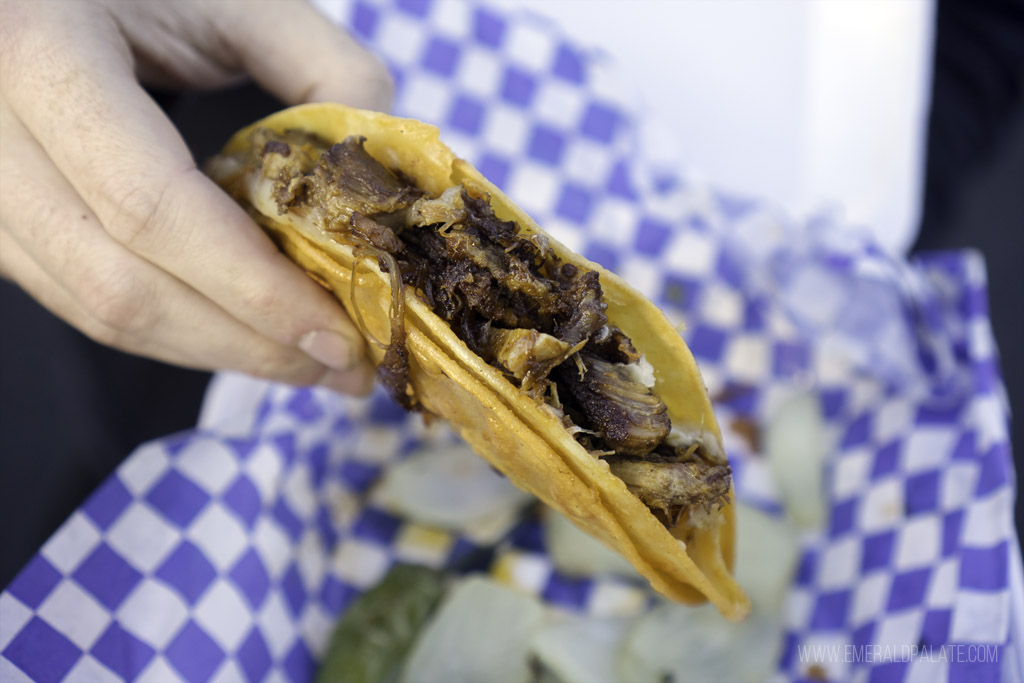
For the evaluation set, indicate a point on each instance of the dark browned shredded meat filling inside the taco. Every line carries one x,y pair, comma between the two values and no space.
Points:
539,320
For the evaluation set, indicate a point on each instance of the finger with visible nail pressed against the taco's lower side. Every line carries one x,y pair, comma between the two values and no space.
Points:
125,160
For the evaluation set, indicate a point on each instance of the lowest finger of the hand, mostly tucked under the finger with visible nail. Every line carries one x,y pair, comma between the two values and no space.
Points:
53,245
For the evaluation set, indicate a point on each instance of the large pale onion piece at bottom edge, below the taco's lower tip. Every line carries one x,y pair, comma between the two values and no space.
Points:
679,644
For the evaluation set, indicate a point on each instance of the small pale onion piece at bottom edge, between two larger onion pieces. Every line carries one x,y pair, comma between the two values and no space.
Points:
581,651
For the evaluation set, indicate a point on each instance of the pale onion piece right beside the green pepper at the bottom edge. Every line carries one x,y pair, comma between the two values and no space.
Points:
481,634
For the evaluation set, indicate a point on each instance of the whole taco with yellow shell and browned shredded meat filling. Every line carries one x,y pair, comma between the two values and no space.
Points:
559,373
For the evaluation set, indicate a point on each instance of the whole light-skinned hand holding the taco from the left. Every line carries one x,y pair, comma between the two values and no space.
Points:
104,217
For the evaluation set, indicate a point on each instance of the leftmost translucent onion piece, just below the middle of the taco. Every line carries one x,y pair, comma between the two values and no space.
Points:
451,488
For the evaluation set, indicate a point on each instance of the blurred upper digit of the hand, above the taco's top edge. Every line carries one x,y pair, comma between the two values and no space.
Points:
301,57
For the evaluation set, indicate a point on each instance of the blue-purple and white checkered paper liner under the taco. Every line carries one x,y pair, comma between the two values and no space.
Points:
228,552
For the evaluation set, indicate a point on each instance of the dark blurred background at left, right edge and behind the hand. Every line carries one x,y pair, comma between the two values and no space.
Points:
71,410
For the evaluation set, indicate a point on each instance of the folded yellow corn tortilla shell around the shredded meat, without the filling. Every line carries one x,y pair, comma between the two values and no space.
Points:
503,425
